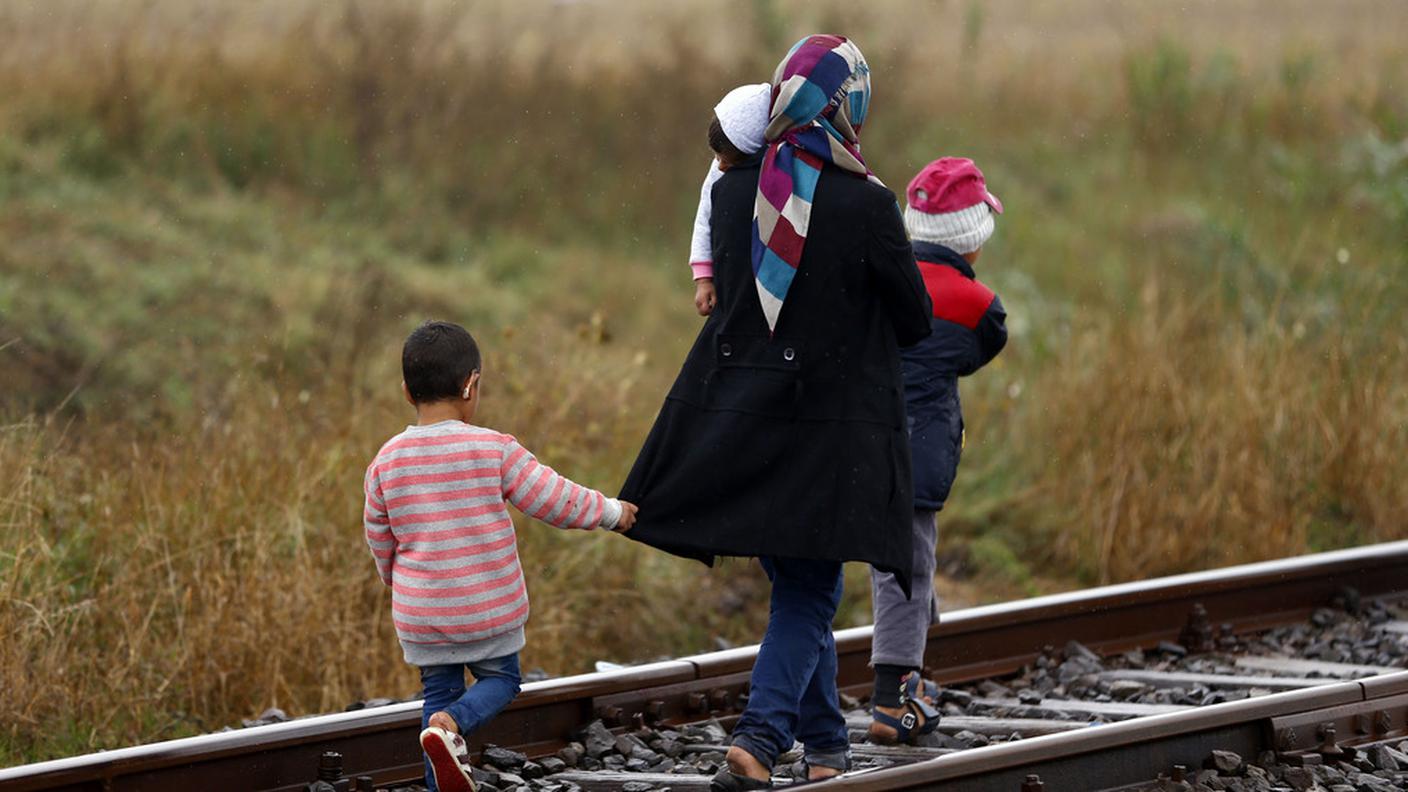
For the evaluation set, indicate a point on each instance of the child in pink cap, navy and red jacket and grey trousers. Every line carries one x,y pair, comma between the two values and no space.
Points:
951,215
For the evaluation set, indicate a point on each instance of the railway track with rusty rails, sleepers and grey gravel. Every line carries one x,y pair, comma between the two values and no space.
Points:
1098,690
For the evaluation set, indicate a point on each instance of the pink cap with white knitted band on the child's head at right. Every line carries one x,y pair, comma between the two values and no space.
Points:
950,205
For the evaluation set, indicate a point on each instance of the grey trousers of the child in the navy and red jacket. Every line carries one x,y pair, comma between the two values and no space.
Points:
903,625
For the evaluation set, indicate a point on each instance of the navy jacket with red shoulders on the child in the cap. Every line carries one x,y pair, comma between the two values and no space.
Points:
969,330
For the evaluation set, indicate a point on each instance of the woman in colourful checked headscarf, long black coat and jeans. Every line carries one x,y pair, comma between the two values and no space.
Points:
785,435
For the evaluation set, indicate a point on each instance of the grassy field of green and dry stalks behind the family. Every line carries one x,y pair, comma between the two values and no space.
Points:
218,229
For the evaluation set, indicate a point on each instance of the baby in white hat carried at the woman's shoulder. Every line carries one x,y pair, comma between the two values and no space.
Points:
736,135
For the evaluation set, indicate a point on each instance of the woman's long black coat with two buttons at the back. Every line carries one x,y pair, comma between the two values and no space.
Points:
793,445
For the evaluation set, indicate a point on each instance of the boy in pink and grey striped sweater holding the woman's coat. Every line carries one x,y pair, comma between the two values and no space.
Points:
439,526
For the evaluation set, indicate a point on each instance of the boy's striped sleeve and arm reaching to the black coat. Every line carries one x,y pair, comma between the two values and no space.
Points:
543,494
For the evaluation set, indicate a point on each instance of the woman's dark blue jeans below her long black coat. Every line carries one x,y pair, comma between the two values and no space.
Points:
793,694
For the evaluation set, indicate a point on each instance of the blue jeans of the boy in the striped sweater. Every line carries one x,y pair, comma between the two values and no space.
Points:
443,687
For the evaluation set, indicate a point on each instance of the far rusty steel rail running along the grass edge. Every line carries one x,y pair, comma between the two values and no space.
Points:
968,645
